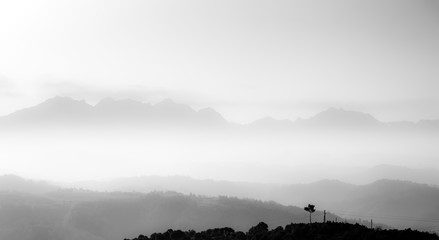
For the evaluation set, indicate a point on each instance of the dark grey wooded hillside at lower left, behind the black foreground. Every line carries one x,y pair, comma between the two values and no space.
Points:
85,215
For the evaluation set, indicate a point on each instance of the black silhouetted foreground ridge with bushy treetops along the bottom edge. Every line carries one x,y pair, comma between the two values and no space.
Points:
327,231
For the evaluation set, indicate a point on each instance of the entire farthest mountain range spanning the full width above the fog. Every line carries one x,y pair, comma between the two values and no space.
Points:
65,110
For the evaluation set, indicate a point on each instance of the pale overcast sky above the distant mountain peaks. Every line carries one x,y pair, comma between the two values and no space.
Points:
246,59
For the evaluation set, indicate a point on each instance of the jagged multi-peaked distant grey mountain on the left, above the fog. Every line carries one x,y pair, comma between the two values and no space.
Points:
67,111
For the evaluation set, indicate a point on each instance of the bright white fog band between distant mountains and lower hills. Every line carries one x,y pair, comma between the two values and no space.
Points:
69,155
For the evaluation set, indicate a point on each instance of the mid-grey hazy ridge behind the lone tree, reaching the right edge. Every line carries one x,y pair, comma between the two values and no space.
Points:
392,202
